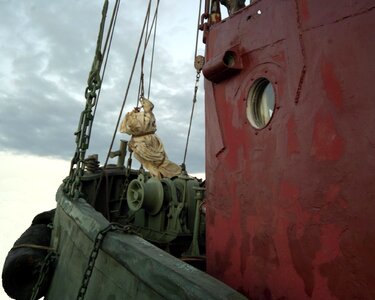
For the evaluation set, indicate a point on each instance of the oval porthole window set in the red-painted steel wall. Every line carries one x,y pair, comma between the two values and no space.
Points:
260,103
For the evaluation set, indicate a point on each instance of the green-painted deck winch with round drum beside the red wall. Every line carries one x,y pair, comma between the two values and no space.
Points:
163,209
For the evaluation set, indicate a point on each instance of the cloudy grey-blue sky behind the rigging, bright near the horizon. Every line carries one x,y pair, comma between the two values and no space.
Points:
46,51
